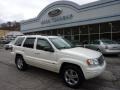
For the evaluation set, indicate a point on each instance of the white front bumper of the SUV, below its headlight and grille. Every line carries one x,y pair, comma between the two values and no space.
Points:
92,72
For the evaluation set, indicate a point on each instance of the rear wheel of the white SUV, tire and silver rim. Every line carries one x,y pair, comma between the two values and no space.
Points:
20,63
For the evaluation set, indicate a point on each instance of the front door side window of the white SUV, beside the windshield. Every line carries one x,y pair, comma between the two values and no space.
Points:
42,44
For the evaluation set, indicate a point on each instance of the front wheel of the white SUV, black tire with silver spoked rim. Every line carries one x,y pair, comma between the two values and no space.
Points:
72,76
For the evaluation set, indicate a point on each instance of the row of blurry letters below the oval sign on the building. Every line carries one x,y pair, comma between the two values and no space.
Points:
57,19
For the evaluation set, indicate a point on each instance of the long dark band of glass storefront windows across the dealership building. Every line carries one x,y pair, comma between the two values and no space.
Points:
108,30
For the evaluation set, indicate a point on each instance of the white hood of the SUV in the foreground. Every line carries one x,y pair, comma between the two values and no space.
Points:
79,51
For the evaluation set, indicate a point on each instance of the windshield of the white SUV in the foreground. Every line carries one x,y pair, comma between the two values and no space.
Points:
61,43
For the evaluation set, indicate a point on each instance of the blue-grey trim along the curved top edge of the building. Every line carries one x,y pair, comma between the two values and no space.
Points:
75,5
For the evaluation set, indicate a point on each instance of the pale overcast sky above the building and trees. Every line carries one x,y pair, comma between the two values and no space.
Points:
16,10
